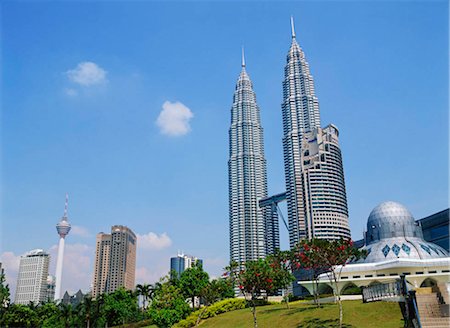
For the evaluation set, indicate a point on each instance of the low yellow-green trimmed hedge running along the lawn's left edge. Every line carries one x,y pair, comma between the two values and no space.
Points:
213,310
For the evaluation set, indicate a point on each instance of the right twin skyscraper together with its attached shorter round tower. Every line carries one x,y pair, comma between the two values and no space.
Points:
313,205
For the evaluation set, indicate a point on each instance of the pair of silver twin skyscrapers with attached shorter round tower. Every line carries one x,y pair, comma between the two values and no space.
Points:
315,186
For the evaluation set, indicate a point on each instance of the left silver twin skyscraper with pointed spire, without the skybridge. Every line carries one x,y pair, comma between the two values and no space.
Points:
247,174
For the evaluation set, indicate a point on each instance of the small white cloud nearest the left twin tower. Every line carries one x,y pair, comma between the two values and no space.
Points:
174,119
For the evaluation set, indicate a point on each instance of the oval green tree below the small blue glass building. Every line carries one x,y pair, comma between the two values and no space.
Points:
192,281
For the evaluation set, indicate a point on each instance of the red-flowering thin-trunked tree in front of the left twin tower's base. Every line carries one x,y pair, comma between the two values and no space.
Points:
263,276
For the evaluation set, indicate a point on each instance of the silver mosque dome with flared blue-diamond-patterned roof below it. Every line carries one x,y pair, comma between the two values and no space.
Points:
392,233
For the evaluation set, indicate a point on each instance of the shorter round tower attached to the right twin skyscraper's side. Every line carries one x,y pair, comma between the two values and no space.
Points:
324,185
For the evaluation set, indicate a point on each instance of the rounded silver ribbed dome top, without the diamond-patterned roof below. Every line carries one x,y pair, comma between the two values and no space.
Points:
391,219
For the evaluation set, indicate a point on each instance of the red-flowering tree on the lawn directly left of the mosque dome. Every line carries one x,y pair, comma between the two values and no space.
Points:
331,256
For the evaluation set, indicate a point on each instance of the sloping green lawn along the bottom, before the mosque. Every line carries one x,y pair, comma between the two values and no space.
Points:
356,314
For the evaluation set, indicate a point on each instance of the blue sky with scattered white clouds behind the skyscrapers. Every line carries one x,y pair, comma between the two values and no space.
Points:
381,75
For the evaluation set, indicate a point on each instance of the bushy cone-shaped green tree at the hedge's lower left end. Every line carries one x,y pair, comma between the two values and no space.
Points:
169,305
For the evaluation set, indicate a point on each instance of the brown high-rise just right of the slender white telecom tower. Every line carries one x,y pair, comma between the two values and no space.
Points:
115,261
